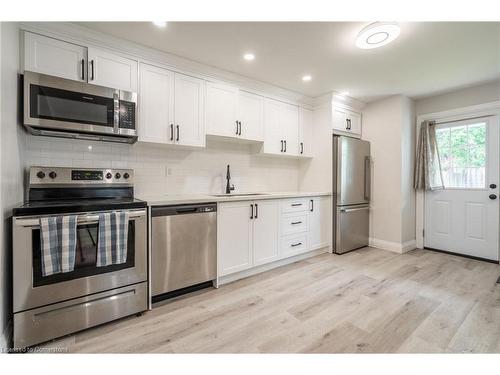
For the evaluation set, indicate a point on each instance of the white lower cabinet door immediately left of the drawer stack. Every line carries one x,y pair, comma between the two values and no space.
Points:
265,232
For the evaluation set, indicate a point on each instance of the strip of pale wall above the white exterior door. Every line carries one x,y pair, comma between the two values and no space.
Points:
484,93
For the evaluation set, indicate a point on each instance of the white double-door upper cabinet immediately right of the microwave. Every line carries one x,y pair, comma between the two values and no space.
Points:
171,107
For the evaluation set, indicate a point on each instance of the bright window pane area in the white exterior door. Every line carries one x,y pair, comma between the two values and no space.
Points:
462,153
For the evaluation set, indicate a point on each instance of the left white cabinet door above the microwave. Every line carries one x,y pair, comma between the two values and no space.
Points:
54,57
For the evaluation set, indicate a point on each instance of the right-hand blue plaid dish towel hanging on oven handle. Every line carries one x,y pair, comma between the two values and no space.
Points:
113,238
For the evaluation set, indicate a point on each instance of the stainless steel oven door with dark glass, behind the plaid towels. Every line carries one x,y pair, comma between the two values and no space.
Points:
31,289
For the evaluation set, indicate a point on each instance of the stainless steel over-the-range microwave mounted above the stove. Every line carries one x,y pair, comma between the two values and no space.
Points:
61,107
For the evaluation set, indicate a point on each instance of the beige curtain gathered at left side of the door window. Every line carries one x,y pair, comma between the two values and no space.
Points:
428,174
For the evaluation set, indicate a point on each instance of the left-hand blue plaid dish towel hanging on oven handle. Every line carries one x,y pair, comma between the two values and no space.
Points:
58,244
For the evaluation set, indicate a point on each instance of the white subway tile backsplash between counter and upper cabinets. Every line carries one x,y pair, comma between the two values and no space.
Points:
163,169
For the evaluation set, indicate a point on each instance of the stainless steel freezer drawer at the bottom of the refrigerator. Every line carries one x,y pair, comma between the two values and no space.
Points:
351,228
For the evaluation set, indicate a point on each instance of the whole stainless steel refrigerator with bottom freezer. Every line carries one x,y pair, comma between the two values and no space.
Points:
351,193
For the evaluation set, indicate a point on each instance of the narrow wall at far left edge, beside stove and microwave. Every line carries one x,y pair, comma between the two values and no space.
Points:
12,145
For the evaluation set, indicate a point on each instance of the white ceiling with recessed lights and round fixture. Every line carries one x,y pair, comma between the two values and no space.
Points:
427,58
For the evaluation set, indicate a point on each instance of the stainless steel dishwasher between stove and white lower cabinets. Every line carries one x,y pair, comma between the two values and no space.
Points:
184,248
